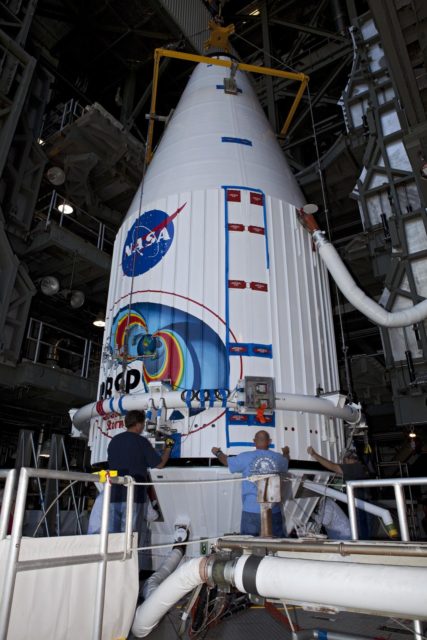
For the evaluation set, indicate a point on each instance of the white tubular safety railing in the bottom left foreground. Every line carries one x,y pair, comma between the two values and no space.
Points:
15,565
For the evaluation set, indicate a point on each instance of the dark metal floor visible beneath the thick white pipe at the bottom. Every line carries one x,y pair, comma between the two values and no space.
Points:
257,624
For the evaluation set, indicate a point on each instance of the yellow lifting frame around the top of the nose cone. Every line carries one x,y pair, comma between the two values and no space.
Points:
228,64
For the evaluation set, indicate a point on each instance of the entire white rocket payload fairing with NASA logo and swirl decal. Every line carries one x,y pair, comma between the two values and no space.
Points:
213,279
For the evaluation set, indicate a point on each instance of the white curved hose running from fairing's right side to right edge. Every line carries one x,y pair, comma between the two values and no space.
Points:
358,298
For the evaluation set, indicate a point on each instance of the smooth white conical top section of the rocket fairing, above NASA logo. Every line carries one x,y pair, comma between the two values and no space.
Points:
216,138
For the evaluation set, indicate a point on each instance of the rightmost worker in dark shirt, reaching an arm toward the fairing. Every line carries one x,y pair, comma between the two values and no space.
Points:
350,469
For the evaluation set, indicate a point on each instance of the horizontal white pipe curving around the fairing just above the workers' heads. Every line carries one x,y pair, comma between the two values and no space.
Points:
173,400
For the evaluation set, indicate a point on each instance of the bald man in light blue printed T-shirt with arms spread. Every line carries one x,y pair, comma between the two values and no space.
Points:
250,463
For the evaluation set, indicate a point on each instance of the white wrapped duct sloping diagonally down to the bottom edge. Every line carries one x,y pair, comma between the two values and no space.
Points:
175,587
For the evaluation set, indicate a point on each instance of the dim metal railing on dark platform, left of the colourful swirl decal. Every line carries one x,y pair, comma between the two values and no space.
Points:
57,348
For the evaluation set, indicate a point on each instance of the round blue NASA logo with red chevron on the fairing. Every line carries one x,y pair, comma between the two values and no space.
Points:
148,240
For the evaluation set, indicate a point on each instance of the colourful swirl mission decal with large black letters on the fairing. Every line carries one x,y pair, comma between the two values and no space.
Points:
162,343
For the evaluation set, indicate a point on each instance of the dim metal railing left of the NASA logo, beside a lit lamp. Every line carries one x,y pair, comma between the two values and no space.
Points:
53,207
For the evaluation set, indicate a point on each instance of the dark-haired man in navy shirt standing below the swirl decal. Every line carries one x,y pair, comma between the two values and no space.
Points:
131,454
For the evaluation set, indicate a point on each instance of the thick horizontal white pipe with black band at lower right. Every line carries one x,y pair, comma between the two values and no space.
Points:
387,590
